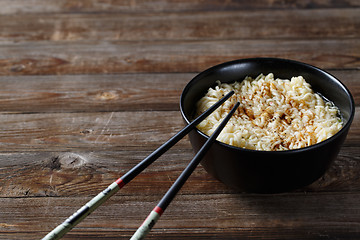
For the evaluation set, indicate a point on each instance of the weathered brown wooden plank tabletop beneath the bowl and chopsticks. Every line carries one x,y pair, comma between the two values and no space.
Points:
90,88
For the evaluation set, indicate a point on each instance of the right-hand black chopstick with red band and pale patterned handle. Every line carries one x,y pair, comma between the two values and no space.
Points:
156,213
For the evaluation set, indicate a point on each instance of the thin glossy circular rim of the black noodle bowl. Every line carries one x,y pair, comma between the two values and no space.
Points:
282,152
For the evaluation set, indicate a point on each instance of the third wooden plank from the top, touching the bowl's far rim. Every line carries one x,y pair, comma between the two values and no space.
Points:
34,58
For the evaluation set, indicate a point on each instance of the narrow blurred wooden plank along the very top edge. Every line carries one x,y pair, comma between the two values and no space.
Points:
144,6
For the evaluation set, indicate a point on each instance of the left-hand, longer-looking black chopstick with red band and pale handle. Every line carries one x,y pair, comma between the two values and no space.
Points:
94,203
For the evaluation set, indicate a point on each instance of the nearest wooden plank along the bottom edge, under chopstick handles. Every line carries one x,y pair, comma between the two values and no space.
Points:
225,216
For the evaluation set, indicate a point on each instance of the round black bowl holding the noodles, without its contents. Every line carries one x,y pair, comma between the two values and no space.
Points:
268,171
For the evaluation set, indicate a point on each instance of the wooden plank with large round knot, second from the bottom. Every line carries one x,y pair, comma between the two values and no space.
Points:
86,173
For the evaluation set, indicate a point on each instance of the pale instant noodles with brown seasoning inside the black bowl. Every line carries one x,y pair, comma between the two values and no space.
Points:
274,115
